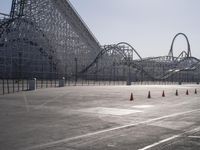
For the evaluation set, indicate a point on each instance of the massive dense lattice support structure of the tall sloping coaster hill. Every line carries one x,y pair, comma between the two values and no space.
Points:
45,31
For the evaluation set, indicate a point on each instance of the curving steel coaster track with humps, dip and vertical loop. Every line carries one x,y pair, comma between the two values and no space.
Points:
184,62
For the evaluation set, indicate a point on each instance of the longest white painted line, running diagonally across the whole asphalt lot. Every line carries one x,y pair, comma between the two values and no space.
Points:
107,130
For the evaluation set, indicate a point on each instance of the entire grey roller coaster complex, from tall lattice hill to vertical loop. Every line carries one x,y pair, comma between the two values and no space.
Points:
35,44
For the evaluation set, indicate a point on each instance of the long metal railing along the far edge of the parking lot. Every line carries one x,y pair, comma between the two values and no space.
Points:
8,86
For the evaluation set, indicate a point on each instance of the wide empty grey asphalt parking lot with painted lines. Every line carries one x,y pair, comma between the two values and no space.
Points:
101,118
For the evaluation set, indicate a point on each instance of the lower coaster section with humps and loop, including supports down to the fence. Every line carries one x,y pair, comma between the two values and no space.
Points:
181,68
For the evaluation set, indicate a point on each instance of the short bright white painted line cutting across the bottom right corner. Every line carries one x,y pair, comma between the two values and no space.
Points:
169,139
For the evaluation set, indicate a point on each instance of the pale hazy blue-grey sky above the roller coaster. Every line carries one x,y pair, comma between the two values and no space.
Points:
148,25
